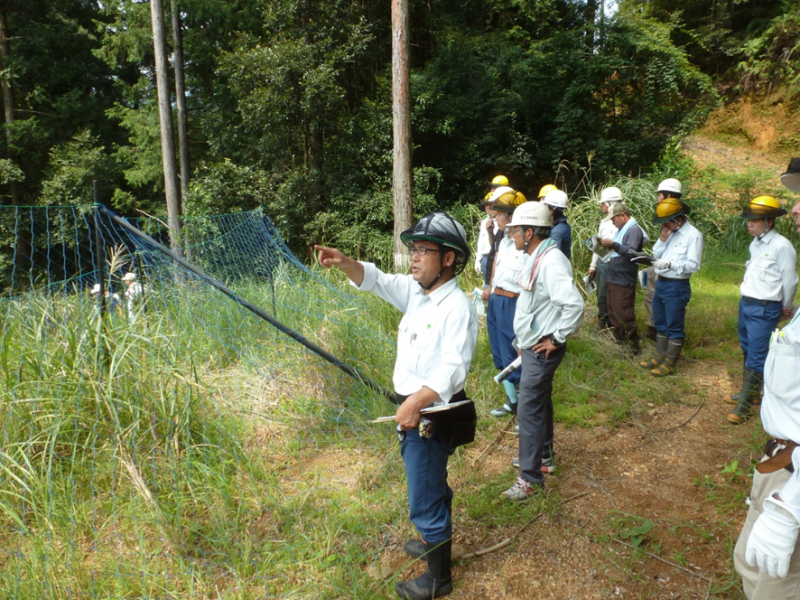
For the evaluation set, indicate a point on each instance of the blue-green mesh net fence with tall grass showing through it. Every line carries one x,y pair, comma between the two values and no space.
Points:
131,464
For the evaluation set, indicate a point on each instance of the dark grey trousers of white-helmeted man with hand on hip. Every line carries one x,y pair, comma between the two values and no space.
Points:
535,411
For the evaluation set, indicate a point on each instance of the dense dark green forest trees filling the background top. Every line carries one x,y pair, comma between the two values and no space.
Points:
289,101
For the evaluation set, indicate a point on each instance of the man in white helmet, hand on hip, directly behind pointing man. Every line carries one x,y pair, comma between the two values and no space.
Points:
549,310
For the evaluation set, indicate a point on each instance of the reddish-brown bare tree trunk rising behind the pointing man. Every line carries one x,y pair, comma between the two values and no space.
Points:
401,118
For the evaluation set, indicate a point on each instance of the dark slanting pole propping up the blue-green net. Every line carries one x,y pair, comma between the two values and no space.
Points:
295,335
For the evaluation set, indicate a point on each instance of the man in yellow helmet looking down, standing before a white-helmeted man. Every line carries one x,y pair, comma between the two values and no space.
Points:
677,254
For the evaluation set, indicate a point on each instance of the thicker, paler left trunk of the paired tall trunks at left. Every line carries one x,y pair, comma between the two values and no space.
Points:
165,118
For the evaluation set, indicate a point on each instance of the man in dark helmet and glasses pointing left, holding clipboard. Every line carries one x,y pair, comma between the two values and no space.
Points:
435,344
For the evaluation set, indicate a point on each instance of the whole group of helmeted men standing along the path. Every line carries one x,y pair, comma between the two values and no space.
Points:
534,306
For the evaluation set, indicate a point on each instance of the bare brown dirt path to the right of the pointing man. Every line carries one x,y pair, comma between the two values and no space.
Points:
665,466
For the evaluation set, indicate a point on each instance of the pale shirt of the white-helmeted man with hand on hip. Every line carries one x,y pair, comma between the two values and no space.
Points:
553,307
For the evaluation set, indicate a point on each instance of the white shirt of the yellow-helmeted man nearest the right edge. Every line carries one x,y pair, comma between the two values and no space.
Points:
771,271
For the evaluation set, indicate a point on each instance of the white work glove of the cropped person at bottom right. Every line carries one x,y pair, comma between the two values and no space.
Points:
773,538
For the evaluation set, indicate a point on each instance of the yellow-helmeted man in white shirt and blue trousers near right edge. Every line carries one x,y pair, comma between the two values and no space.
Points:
770,282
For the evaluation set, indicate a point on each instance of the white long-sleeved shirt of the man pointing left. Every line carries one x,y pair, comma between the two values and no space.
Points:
436,337
